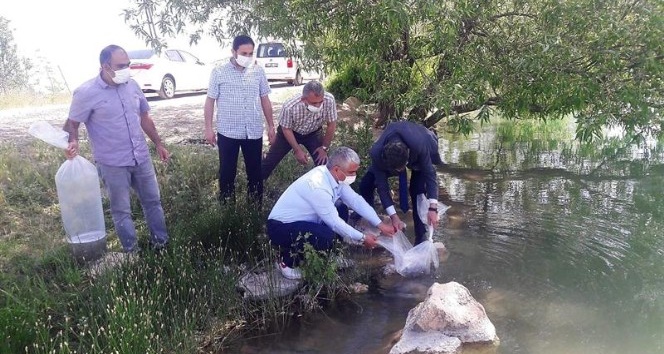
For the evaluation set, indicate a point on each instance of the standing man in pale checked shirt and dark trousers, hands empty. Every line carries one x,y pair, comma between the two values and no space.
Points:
240,90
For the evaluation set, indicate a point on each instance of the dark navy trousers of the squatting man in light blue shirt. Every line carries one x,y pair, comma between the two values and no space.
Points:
290,237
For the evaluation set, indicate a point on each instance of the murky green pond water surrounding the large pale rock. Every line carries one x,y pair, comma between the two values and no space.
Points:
562,243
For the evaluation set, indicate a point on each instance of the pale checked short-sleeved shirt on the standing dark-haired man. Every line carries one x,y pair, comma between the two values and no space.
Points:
238,93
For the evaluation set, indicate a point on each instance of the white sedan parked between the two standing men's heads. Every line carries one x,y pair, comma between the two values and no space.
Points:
168,73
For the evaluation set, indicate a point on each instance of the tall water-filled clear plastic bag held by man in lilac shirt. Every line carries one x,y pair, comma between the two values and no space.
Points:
79,194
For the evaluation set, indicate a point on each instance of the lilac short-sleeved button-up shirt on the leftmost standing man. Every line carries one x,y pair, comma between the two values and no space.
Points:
112,117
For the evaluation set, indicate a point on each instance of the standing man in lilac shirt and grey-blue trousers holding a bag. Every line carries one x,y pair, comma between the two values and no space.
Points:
116,114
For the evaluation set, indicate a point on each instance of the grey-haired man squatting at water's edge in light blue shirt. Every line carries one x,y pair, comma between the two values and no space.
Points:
306,211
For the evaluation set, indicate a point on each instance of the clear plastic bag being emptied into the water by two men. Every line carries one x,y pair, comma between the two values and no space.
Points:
412,261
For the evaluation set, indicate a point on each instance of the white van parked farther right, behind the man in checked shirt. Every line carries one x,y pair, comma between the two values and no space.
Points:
280,65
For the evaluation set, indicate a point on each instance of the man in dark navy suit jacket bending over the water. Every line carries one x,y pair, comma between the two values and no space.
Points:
404,144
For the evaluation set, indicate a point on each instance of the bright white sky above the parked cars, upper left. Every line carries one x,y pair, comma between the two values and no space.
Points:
71,33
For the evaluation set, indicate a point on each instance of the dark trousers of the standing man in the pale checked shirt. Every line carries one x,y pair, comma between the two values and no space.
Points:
229,150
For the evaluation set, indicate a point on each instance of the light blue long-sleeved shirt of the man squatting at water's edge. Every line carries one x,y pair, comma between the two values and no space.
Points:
312,198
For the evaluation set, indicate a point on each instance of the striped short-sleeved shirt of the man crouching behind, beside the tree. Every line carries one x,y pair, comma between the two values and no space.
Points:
295,115
